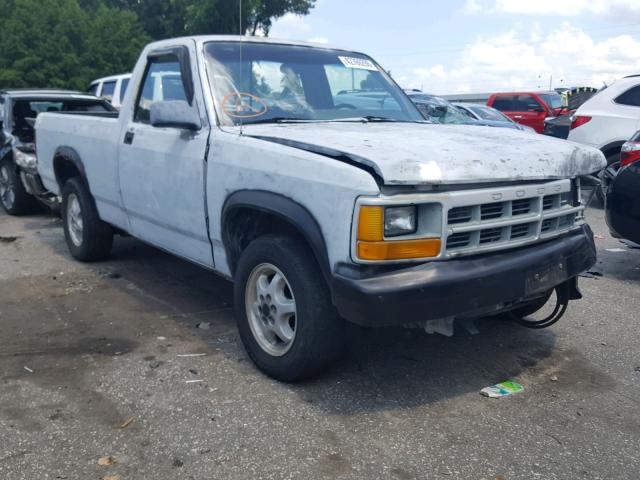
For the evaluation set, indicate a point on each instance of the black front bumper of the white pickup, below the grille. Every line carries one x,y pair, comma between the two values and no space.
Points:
463,287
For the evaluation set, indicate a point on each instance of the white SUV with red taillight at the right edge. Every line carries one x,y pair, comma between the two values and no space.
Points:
609,118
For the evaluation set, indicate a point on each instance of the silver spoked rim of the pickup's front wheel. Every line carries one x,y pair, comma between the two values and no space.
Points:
271,309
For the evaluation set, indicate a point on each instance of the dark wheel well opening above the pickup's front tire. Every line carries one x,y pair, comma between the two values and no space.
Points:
243,225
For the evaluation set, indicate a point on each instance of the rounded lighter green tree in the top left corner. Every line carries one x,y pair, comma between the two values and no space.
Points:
58,44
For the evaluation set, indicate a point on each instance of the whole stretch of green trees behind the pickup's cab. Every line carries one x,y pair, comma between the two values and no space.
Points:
69,43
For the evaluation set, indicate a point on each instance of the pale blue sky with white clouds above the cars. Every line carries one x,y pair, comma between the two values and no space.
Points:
478,46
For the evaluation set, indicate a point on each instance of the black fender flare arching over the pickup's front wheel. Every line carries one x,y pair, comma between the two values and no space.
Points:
285,209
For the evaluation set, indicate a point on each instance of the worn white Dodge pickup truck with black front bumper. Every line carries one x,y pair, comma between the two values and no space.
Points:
305,174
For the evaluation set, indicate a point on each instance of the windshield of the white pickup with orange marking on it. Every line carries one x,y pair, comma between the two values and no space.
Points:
282,82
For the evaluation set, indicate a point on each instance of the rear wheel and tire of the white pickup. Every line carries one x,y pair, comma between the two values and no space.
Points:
88,238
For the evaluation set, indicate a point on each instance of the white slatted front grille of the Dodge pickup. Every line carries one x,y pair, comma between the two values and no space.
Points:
516,221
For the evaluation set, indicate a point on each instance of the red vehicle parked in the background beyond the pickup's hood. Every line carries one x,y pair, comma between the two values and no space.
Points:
529,108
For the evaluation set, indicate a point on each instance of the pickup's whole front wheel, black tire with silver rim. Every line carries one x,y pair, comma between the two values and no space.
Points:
315,335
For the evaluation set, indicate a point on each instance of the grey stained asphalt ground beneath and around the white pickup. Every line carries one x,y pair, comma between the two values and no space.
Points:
97,361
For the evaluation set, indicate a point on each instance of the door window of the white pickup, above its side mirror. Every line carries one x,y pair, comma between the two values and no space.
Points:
162,81
